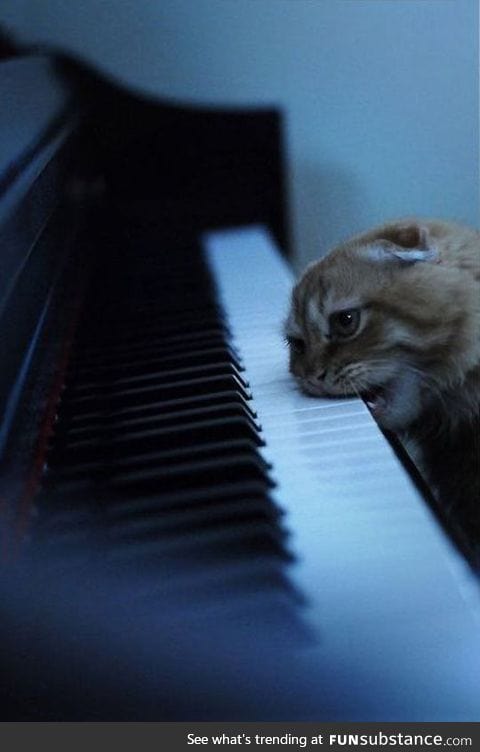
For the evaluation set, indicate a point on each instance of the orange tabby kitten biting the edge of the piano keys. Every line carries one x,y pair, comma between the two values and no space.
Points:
393,316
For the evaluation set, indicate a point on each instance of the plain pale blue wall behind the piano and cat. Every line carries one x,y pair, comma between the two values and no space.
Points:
380,96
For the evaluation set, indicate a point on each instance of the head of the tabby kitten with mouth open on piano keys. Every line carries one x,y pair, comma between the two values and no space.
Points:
382,318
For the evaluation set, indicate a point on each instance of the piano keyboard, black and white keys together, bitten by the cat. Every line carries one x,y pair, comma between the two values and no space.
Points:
185,464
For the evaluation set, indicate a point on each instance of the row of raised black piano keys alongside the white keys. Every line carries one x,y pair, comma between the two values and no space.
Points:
154,467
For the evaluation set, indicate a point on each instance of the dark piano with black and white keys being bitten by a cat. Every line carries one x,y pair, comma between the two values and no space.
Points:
185,536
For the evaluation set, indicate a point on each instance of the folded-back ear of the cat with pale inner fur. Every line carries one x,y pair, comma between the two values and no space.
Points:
406,243
